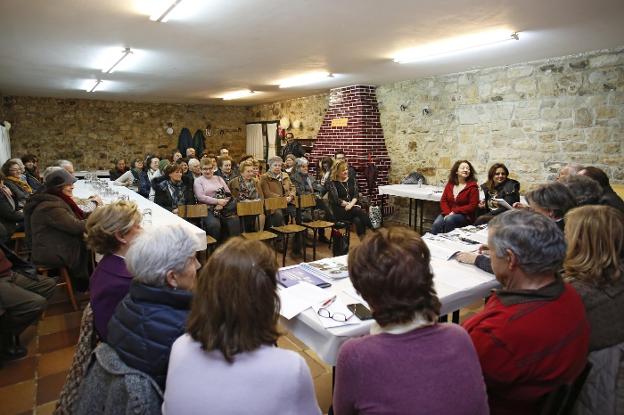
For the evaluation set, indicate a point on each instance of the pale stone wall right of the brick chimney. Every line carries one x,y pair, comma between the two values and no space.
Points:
534,117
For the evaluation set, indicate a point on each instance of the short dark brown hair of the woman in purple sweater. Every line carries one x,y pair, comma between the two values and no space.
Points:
391,270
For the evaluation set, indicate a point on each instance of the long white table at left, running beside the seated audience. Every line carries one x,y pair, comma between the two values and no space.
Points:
160,216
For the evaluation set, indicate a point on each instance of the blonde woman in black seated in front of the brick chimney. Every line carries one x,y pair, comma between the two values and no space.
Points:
343,198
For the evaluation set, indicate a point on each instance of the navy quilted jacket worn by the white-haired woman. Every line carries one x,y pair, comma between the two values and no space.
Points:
145,325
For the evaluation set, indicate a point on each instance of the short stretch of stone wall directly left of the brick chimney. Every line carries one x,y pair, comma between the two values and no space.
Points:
309,110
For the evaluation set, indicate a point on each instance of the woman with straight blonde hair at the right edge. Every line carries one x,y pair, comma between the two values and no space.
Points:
594,265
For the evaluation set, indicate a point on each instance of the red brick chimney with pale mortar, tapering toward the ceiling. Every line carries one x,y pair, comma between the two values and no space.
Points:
352,124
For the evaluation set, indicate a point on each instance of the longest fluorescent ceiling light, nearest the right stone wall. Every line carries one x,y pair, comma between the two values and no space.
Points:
454,45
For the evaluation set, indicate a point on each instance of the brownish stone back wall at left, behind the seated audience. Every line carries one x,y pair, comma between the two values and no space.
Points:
92,133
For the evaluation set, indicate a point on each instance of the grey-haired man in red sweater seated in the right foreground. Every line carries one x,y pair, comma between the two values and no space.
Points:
533,335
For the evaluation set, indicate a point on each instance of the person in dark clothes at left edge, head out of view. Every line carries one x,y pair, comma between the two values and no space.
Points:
23,297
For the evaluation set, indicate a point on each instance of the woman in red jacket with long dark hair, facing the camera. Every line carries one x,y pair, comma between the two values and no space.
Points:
460,199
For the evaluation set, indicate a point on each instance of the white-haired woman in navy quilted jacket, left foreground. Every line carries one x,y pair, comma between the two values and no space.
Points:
153,314
